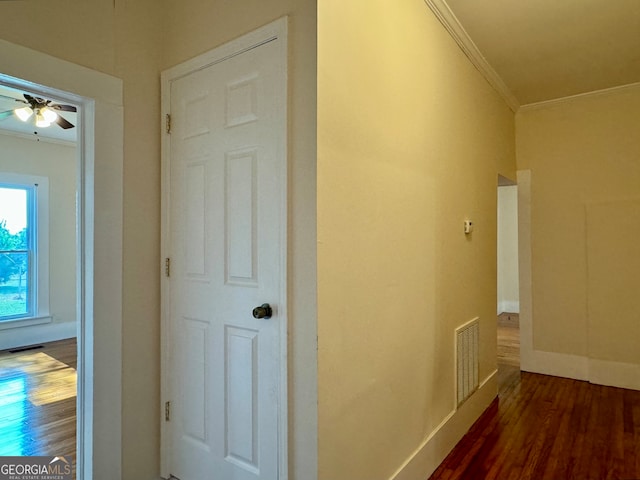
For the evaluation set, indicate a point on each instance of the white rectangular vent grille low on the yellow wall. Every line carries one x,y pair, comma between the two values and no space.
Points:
467,338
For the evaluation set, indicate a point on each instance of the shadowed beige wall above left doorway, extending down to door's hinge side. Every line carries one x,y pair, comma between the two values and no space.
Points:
121,38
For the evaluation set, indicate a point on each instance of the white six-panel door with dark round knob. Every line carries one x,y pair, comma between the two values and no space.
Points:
226,236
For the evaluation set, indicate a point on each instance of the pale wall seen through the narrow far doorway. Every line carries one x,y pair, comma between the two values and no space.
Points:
508,294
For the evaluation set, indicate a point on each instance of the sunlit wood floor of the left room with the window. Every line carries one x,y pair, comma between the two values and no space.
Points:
38,401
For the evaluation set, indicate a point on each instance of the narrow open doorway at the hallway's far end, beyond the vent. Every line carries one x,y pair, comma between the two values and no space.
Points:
508,302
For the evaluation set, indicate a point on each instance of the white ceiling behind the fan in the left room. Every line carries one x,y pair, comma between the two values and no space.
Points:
13,125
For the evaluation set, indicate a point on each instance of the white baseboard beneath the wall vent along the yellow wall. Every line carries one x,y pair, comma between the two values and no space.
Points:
423,462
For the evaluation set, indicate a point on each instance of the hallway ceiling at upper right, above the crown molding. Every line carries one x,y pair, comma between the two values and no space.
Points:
548,49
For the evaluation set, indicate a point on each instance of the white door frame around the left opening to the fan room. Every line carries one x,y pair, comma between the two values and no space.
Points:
100,160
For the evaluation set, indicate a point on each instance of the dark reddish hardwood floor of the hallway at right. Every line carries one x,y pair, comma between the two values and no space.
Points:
543,427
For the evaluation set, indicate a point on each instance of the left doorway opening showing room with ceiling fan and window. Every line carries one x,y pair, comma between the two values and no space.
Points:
42,238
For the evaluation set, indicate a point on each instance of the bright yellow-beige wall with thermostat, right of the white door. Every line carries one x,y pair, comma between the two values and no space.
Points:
411,139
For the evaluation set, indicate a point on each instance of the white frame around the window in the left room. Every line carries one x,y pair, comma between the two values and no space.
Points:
39,274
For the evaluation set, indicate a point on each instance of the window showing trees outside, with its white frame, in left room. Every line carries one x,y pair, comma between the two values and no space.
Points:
23,249
